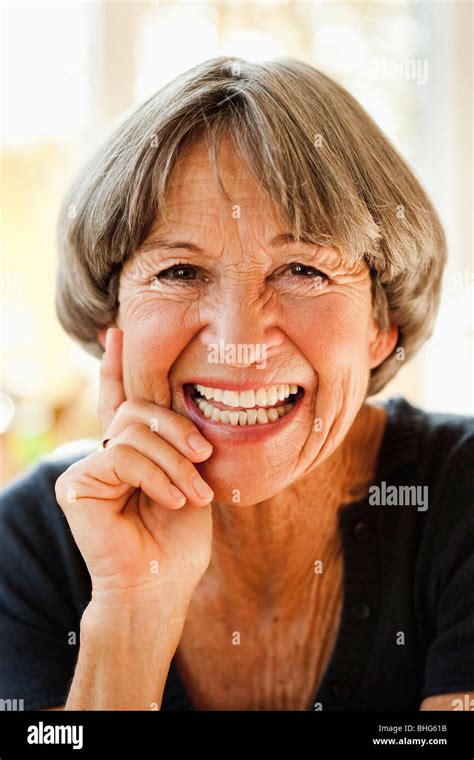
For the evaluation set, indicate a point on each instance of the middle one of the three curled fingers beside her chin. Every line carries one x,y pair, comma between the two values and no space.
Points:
179,470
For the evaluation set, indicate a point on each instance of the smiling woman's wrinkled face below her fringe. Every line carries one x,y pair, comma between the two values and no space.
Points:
226,301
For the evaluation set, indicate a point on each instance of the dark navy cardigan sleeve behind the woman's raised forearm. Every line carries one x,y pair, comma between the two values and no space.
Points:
44,586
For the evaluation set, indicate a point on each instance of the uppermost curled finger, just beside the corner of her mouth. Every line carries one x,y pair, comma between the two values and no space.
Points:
178,430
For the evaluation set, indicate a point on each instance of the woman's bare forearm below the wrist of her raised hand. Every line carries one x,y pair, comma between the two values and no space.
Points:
125,654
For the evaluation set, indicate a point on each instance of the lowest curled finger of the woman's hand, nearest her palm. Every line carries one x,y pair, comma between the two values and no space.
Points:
98,478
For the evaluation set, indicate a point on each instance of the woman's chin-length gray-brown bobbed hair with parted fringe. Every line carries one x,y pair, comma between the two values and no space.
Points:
327,166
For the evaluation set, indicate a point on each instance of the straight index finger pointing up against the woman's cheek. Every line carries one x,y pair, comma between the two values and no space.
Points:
111,391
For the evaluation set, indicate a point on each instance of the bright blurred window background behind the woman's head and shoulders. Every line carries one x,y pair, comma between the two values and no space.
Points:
69,72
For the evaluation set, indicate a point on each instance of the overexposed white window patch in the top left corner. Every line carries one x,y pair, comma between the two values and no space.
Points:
45,70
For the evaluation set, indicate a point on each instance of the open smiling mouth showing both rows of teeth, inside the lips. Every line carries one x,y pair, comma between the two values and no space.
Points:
245,408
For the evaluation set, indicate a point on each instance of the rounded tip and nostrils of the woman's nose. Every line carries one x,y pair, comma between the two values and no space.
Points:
245,330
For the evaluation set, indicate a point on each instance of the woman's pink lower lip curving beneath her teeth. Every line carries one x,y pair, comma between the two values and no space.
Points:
238,433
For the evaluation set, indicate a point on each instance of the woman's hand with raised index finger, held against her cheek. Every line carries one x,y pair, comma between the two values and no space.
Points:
124,503
